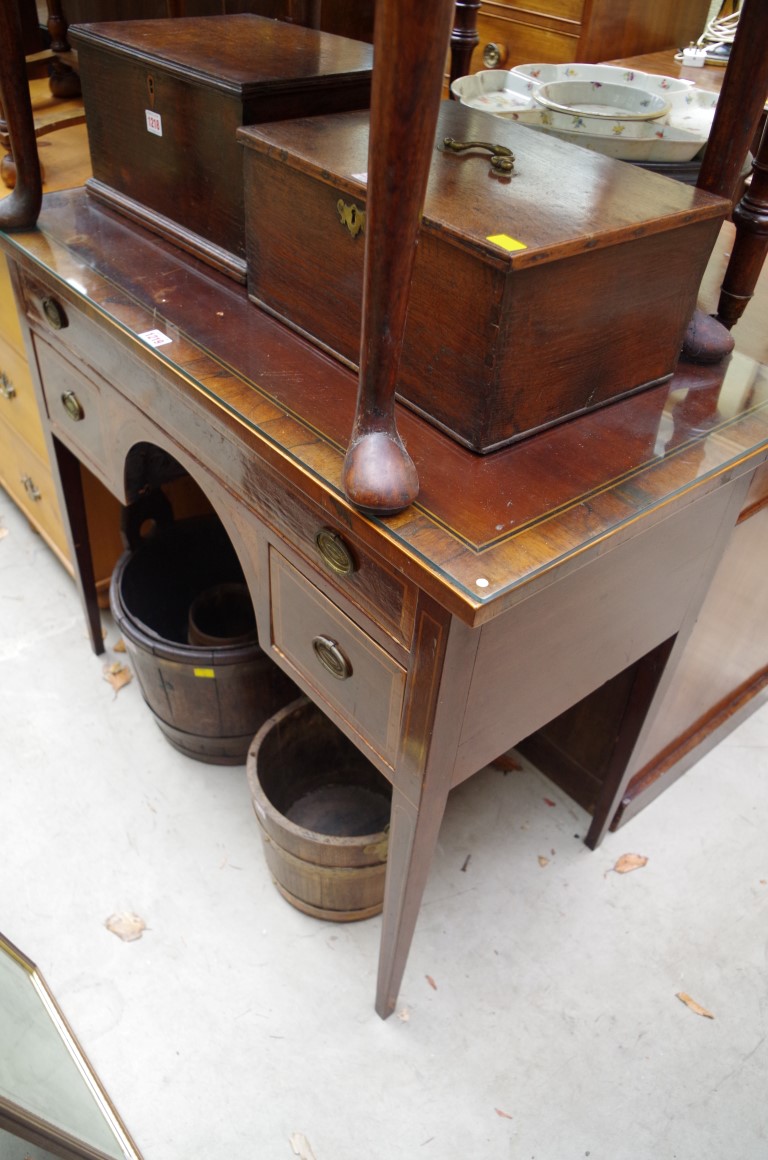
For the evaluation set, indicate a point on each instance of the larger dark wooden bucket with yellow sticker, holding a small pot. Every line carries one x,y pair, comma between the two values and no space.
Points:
208,699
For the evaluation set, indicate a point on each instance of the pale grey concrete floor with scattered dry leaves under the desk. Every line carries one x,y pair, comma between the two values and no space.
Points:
550,1029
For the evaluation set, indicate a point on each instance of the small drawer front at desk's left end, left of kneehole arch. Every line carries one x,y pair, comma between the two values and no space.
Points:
74,404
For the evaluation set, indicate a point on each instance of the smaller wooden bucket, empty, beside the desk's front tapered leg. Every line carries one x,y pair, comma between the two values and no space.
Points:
324,815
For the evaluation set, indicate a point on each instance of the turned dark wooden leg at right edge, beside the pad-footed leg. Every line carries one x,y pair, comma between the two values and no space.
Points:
751,243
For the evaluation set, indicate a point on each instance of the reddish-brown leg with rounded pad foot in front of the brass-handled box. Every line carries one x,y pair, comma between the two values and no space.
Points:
410,46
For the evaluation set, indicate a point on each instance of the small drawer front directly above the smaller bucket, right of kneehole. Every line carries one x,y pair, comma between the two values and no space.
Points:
344,668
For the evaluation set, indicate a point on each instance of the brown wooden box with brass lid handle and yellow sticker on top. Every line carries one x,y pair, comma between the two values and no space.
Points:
535,296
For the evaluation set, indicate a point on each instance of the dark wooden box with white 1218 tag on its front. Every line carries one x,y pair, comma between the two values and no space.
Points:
165,98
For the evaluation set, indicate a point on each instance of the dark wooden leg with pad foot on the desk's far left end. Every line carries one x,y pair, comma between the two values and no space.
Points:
20,209
